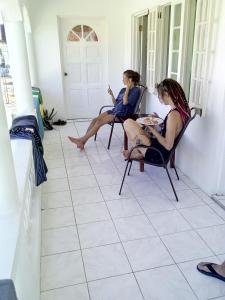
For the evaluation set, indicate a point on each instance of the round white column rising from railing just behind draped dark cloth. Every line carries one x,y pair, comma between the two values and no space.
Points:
15,36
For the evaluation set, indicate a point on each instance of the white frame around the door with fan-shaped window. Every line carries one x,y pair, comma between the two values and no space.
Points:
105,65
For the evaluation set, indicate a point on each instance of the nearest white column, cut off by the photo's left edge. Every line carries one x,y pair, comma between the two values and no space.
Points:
8,183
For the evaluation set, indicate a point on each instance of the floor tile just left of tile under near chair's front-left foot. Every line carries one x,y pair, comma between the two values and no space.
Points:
88,195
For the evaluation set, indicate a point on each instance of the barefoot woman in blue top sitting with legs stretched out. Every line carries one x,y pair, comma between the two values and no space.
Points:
124,105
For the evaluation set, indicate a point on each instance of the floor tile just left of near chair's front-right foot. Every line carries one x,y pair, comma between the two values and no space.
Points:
151,204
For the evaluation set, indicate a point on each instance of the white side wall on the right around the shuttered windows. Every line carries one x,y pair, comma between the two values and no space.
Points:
201,154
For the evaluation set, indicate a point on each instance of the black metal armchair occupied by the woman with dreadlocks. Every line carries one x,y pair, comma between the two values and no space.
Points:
163,163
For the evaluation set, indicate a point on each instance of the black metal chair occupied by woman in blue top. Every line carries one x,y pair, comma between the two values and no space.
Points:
120,120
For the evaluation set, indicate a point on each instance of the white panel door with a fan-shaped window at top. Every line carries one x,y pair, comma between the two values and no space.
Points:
83,45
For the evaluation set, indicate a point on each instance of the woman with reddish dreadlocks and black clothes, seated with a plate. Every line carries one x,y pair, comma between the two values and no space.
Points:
170,93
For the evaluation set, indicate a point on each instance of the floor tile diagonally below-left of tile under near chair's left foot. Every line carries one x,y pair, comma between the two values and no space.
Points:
91,212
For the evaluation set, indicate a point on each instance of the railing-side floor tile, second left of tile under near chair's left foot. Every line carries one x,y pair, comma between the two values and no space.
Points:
57,199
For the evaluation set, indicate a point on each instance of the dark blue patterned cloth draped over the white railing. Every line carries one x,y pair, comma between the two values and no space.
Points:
26,127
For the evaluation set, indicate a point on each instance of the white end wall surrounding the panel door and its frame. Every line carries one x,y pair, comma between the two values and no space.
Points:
43,15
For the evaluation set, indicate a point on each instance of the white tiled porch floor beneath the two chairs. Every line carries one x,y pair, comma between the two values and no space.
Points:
98,245
